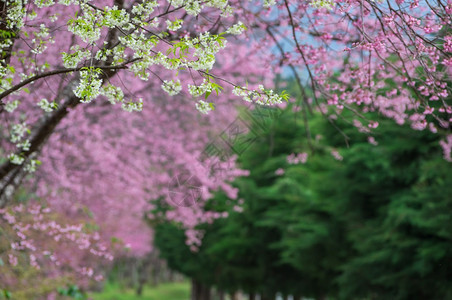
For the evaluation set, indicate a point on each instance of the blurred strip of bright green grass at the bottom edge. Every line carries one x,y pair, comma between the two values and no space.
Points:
164,291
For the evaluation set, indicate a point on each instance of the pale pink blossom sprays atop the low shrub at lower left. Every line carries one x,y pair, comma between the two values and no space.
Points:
36,238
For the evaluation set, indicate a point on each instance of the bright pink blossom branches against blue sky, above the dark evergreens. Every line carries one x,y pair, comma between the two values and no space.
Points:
390,57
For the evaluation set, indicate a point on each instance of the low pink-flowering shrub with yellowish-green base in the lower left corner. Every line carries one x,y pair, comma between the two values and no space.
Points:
37,243
